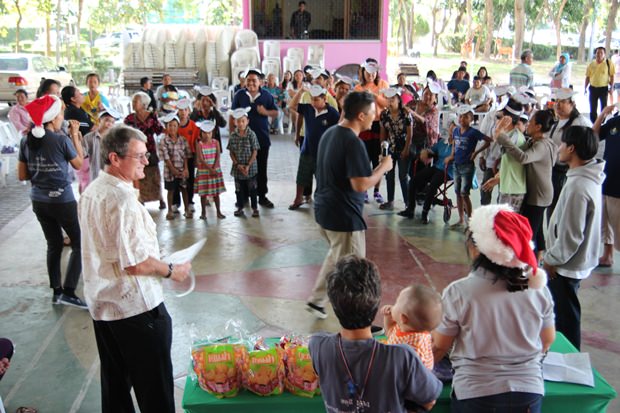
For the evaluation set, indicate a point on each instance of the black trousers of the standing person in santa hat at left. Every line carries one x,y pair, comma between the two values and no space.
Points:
53,219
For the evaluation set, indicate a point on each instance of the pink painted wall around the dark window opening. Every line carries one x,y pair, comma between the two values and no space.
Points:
339,52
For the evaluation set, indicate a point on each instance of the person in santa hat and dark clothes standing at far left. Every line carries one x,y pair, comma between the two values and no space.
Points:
44,157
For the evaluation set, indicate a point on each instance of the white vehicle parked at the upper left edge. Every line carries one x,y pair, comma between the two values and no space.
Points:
25,71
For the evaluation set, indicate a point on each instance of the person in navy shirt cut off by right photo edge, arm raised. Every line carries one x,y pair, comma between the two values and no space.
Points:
610,133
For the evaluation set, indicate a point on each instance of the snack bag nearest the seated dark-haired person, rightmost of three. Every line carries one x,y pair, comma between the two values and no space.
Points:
300,376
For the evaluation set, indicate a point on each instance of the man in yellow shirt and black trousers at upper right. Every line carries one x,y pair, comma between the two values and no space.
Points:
599,81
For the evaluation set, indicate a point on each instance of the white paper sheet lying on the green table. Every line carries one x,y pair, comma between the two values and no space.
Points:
569,368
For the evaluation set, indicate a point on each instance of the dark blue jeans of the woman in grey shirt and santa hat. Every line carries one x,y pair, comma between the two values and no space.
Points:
512,402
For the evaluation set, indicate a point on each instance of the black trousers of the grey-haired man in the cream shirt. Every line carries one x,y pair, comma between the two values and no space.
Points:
135,352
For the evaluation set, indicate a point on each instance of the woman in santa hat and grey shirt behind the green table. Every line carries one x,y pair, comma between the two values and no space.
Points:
499,318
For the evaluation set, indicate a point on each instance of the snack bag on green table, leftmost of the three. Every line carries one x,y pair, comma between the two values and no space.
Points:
218,368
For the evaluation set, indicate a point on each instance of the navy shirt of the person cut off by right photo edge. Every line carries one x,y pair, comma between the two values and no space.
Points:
610,133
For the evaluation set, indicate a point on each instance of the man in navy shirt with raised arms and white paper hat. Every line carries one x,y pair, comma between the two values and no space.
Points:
318,117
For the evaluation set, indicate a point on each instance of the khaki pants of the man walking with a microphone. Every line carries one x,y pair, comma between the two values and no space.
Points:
340,244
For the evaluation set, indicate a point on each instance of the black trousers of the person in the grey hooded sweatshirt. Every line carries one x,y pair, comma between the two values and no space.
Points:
567,307
